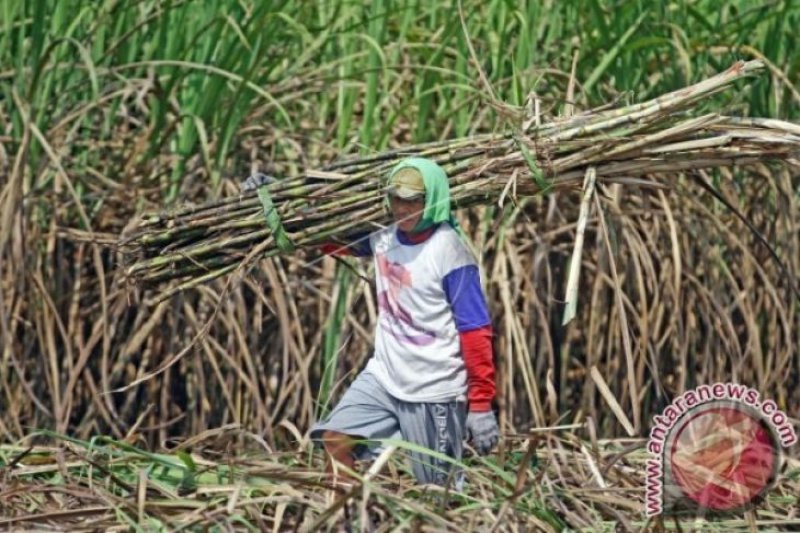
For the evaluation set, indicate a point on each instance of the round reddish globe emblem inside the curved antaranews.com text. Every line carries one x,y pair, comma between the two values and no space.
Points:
723,456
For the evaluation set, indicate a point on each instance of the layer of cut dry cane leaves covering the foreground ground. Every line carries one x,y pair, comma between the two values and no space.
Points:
548,480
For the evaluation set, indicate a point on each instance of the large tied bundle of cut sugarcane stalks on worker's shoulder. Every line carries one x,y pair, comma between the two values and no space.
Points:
624,145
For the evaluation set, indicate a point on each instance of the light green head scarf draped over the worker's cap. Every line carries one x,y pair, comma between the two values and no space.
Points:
437,193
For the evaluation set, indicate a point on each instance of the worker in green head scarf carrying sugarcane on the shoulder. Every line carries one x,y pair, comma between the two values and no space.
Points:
430,380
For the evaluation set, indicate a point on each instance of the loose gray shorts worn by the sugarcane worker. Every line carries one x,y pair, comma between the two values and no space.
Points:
367,411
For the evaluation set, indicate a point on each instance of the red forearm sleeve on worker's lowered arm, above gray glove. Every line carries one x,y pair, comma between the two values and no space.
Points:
476,347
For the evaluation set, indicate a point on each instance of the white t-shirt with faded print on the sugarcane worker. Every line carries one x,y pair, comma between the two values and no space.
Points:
417,347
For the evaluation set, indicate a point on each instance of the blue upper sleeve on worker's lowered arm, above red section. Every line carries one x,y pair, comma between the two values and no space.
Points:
462,287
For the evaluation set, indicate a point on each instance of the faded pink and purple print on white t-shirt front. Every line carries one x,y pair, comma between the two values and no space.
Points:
397,277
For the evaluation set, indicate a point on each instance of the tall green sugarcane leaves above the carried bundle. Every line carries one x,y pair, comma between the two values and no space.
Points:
200,78
